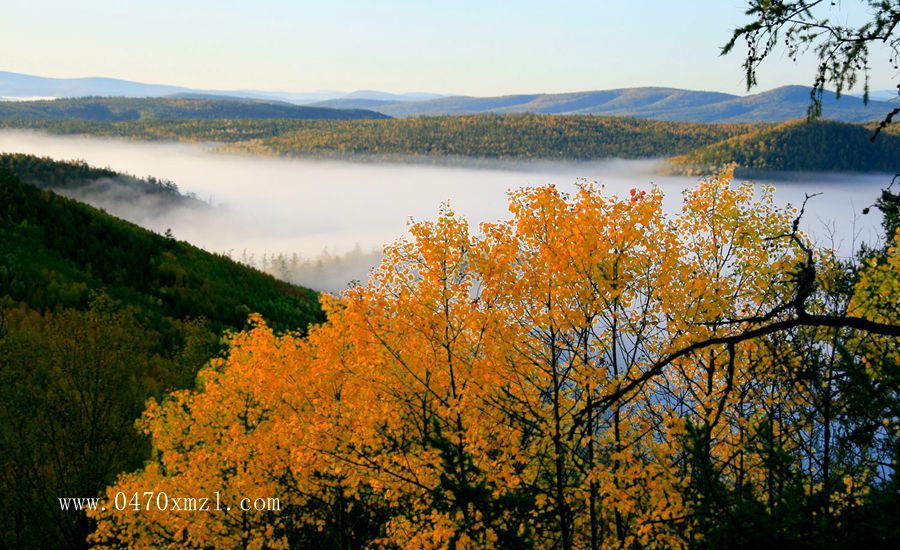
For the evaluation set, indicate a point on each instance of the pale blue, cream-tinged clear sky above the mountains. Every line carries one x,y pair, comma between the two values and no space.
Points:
484,47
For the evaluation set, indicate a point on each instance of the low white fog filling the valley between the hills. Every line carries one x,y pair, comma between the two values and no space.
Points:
264,208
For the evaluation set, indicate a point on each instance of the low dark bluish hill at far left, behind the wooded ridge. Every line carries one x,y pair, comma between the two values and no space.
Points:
121,109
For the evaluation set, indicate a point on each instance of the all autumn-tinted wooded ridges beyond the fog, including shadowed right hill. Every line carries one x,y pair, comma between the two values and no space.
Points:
697,148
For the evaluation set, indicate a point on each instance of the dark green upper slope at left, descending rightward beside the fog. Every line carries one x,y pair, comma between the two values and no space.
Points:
55,251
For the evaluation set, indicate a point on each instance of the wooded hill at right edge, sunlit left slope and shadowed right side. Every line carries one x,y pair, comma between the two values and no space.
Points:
799,146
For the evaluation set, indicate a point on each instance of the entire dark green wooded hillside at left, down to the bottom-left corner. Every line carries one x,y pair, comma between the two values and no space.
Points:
97,315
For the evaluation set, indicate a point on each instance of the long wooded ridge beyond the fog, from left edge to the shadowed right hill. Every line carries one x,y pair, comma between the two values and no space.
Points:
481,136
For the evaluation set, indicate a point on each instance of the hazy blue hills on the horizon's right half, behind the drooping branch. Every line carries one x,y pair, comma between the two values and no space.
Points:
778,105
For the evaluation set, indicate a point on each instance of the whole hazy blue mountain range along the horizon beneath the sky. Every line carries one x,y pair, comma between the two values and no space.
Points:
671,104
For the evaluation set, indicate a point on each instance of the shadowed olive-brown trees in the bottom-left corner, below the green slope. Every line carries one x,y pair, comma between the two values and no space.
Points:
72,384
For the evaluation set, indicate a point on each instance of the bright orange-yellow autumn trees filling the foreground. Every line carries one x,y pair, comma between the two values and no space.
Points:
590,373
